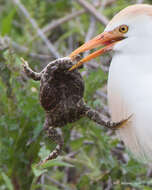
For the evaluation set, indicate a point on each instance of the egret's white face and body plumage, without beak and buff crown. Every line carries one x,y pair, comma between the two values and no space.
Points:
130,84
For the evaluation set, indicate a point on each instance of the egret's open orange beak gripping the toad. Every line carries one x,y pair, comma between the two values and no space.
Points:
106,39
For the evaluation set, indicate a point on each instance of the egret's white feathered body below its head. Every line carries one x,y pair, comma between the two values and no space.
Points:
130,92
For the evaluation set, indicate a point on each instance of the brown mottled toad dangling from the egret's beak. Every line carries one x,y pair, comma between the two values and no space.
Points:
61,96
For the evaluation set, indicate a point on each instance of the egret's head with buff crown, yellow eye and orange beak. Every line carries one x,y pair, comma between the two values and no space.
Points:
130,31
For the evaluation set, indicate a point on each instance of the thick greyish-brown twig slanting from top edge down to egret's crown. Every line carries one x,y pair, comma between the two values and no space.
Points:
86,5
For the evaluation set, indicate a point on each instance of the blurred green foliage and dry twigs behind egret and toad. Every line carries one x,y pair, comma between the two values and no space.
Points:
93,158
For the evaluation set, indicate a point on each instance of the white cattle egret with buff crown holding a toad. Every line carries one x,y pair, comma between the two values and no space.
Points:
129,36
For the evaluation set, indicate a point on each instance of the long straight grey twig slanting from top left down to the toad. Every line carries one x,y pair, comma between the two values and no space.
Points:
38,30
